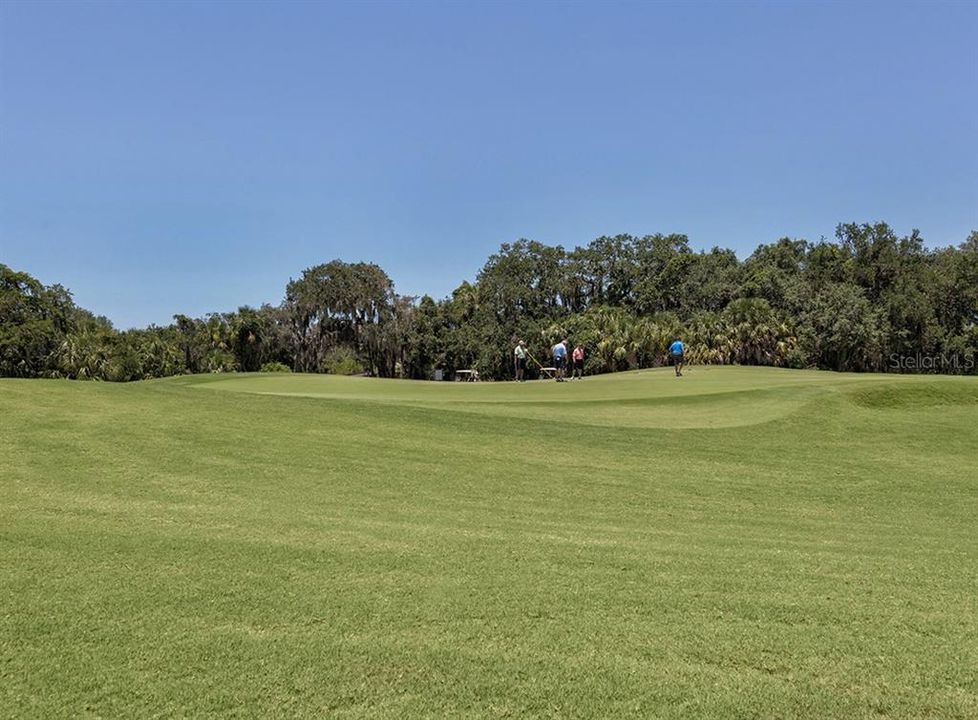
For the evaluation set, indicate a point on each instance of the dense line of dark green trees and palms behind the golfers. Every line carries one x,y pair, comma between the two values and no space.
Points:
869,300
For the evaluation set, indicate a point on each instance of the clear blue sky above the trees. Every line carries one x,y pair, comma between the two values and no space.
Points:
190,157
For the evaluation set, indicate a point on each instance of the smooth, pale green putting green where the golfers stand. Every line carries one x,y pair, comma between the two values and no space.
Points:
704,397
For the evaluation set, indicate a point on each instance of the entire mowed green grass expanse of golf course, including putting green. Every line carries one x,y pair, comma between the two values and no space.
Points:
738,543
